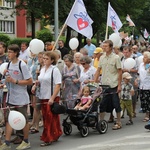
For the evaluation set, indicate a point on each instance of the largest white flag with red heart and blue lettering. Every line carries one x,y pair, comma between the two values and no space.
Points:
79,20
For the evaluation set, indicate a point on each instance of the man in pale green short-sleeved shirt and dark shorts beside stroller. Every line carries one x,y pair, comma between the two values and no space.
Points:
112,76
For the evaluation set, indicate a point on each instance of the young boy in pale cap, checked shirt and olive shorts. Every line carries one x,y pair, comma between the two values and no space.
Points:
127,92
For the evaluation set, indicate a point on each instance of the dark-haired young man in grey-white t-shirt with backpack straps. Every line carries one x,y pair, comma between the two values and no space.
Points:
17,79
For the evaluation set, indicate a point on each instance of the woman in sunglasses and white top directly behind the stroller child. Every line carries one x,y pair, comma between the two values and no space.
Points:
87,74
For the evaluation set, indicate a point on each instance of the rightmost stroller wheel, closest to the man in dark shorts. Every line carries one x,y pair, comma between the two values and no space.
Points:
102,126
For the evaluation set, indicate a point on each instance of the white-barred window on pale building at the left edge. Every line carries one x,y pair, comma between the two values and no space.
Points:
7,26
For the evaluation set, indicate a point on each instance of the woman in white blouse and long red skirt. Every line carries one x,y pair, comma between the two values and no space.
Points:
49,93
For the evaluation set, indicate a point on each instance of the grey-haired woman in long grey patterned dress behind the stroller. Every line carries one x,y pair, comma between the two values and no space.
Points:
71,84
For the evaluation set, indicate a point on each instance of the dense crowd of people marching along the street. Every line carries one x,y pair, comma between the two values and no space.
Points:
35,82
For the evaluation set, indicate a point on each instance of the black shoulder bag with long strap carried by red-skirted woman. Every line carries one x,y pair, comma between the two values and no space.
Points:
56,108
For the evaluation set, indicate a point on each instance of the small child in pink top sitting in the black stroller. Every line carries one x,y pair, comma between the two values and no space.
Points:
86,99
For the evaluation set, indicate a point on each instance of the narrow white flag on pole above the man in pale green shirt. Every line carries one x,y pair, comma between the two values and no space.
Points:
113,19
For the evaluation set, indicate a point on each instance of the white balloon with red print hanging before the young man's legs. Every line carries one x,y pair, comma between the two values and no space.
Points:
16,120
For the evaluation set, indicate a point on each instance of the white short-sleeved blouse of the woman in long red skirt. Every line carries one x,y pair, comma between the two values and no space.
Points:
45,81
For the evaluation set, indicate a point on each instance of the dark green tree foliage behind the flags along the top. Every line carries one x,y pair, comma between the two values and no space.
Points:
138,10
